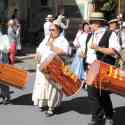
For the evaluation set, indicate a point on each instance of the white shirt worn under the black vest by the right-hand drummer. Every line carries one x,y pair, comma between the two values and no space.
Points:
113,43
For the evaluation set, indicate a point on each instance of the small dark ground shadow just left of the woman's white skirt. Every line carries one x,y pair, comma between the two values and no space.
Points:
23,100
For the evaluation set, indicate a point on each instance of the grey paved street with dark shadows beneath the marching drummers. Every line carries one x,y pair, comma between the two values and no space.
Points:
74,110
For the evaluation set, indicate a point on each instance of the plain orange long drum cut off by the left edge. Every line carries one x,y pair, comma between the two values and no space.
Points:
13,76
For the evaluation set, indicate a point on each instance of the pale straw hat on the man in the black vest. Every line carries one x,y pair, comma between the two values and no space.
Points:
97,16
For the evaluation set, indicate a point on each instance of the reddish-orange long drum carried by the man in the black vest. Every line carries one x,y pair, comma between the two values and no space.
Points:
107,77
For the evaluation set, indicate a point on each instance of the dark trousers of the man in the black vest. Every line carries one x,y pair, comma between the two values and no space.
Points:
100,103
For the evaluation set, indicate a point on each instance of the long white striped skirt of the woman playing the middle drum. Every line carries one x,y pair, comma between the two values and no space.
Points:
45,93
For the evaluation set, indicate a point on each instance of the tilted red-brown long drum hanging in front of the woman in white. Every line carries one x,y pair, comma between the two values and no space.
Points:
63,76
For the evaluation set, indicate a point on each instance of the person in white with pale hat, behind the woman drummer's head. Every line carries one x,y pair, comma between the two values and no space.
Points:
47,24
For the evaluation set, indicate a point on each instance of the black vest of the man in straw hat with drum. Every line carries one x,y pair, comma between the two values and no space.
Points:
104,42
